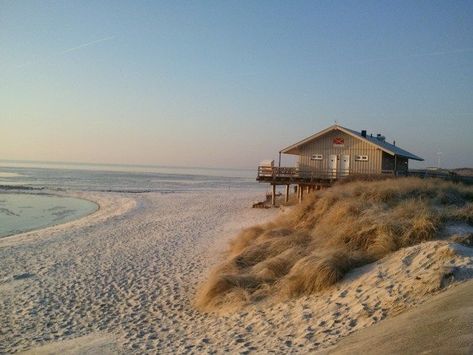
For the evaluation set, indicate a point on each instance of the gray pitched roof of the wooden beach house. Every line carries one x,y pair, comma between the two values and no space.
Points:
383,145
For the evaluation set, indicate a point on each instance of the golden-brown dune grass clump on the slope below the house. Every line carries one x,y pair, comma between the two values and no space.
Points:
335,230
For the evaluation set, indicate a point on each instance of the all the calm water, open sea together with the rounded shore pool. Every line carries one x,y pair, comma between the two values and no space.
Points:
28,190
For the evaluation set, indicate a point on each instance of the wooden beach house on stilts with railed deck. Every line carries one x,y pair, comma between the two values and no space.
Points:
332,154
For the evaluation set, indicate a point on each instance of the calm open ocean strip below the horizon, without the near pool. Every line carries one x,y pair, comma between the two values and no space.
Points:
122,178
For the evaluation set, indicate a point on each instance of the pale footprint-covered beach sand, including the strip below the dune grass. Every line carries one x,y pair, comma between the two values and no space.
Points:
122,280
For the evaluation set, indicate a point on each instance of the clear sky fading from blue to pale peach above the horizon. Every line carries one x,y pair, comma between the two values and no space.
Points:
229,83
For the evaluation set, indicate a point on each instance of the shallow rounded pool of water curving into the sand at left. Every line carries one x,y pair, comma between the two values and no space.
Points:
24,212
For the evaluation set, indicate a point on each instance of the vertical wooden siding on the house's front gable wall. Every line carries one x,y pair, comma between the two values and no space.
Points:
352,147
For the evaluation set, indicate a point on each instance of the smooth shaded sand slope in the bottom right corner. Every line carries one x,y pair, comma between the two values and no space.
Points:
443,325
